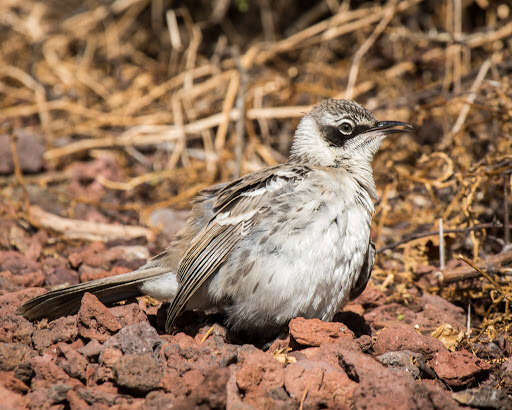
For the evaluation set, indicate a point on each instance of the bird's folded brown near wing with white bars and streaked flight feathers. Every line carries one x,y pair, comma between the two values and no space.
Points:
236,209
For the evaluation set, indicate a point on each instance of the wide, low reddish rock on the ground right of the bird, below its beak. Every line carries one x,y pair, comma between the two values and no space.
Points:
403,337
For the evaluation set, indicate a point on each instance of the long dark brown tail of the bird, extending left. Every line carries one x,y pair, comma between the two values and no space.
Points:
66,301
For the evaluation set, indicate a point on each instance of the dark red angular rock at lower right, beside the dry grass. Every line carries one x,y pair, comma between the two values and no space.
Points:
458,368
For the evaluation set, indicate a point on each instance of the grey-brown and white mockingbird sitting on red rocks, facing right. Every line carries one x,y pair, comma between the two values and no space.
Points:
287,241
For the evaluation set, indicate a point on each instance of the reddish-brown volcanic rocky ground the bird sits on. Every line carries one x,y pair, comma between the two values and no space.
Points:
376,354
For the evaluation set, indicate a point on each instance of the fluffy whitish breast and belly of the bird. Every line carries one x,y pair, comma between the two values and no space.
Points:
308,266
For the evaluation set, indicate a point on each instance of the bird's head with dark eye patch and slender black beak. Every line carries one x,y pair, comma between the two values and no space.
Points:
341,133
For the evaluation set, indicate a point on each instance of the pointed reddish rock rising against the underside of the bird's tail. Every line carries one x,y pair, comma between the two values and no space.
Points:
95,320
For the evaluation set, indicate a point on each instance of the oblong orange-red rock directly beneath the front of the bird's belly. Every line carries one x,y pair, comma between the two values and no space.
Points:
314,332
